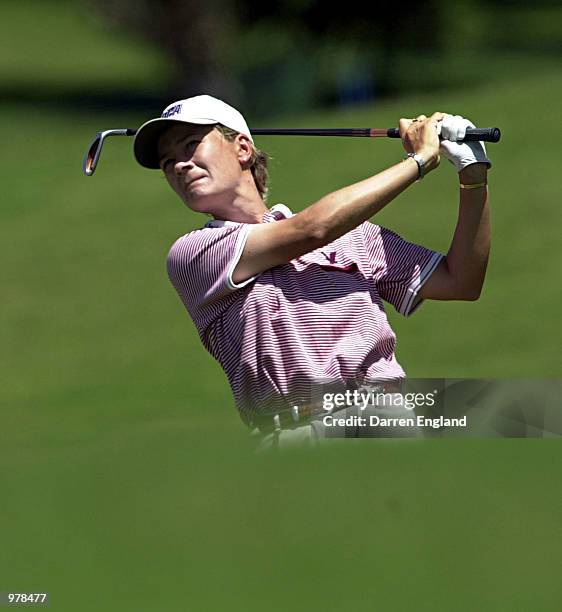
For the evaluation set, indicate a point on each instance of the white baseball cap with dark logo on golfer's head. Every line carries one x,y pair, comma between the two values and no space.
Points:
200,110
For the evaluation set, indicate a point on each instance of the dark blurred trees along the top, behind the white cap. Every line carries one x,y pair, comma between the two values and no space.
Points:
298,53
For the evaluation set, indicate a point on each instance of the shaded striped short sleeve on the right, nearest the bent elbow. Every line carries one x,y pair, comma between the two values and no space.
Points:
400,268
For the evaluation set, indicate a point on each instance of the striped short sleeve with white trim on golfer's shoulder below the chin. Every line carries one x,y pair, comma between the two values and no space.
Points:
200,267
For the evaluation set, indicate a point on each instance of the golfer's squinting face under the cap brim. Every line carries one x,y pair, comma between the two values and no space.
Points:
201,166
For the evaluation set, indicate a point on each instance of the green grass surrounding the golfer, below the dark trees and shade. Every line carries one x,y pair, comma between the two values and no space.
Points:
127,478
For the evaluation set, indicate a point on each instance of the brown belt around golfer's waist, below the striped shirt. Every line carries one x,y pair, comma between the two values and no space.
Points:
297,416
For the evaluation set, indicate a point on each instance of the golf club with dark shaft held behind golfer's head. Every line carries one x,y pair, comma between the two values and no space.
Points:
472,134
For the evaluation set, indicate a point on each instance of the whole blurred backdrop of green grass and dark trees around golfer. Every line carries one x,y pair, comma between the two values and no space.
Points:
128,481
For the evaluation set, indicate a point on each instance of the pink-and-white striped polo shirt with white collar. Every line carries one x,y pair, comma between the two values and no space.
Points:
317,319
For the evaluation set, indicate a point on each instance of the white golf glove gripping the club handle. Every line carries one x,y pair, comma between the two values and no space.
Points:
460,154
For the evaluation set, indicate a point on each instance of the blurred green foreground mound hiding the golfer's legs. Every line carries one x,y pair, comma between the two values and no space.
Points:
164,517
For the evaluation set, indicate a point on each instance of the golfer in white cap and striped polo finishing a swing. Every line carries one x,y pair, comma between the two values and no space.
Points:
292,303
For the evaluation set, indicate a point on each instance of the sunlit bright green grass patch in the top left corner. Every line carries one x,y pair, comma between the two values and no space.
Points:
59,45
